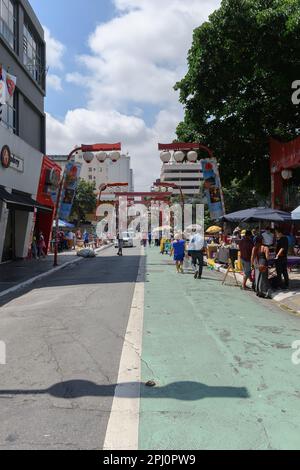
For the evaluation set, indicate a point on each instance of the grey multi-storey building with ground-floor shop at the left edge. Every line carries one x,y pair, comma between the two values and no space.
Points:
22,124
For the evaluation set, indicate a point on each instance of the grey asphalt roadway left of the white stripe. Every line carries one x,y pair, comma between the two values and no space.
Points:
64,338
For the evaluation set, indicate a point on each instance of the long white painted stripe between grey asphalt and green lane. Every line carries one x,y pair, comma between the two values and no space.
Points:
123,426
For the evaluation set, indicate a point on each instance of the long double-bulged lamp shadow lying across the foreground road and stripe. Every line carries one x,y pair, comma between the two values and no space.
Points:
185,390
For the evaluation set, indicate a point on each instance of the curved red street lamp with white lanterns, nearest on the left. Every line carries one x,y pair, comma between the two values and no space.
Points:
88,152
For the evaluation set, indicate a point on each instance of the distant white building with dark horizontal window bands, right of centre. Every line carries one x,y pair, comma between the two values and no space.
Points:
188,176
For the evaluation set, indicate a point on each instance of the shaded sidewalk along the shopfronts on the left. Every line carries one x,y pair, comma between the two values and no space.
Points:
19,273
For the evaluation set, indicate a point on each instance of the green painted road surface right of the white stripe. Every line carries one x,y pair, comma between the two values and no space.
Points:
221,360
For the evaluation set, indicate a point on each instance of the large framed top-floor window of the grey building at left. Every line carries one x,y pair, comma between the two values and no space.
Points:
32,55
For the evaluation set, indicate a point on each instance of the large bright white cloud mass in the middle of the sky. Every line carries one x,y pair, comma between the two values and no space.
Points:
135,59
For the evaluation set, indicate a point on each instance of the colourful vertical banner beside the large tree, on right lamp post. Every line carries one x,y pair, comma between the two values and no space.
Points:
213,188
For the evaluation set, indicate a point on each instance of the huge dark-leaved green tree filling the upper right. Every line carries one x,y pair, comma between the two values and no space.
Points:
237,91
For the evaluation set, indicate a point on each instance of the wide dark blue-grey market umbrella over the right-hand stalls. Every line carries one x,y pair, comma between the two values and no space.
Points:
258,213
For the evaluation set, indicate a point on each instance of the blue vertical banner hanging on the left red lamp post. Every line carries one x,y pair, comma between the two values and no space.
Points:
72,173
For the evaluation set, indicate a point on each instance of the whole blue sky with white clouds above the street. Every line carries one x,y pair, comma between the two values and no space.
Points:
112,69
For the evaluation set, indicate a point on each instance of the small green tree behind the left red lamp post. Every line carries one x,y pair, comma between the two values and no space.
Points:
85,200
